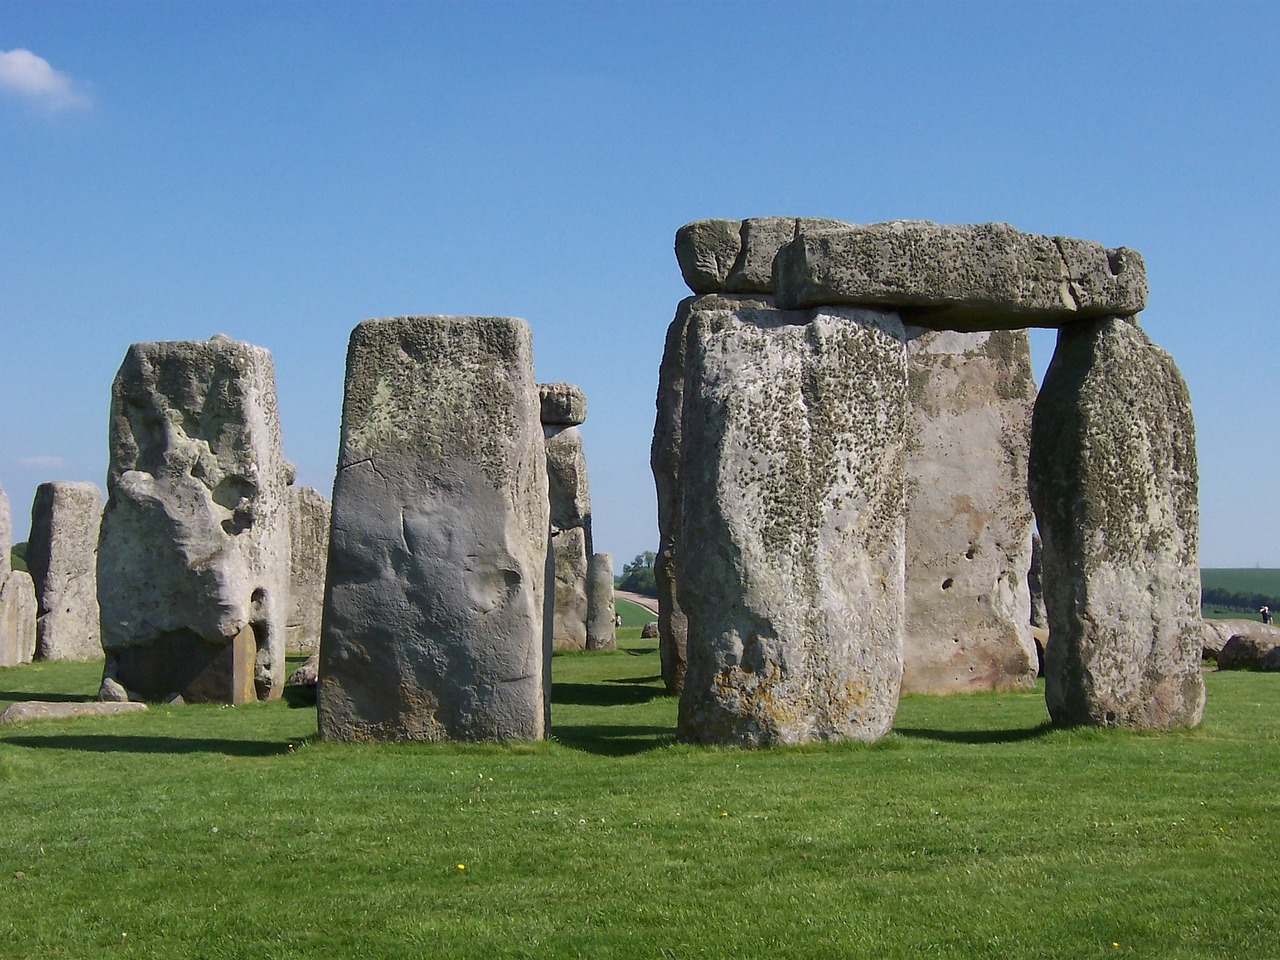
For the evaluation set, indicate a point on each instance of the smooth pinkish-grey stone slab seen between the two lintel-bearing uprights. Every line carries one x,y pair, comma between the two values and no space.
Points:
968,518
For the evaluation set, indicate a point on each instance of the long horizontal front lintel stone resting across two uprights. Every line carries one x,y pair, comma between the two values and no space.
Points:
972,277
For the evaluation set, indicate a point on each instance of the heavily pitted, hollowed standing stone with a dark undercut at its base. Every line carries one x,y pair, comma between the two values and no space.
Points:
194,556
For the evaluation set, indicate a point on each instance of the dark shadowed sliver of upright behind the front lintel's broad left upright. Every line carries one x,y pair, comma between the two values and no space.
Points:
665,461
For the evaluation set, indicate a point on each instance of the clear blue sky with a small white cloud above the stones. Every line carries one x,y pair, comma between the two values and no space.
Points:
281,172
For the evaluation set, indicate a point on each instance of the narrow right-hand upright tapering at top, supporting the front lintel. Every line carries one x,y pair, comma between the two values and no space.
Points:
1114,484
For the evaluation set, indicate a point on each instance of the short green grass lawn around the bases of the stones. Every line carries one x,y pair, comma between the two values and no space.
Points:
972,831
